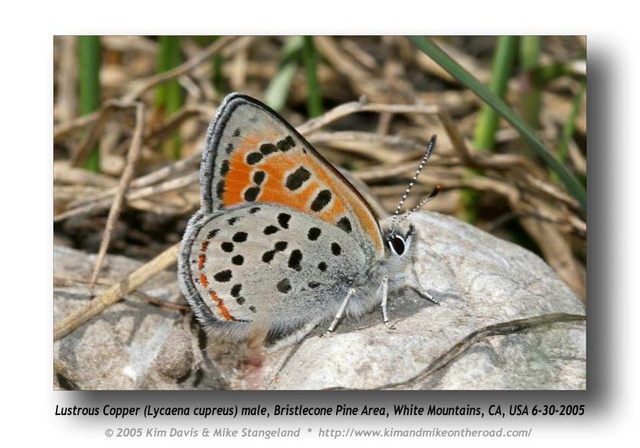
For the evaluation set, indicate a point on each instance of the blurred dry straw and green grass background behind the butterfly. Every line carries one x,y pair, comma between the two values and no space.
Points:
130,114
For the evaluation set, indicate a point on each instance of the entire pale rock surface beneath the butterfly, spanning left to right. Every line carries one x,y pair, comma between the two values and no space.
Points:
479,280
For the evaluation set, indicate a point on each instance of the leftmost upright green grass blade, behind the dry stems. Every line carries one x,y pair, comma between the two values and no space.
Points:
90,60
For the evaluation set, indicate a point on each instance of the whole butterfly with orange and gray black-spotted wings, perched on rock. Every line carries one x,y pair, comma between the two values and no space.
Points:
282,239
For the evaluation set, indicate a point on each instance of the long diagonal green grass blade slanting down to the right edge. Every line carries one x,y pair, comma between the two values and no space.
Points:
527,133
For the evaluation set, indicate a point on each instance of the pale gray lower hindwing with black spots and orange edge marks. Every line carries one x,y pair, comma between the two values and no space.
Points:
267,263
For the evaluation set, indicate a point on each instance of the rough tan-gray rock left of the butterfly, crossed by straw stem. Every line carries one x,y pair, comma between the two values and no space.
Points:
133,344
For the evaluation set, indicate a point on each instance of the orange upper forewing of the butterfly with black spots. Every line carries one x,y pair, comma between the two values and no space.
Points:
252,155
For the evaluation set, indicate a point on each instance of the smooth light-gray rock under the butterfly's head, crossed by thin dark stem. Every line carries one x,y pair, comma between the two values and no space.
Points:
480,281
